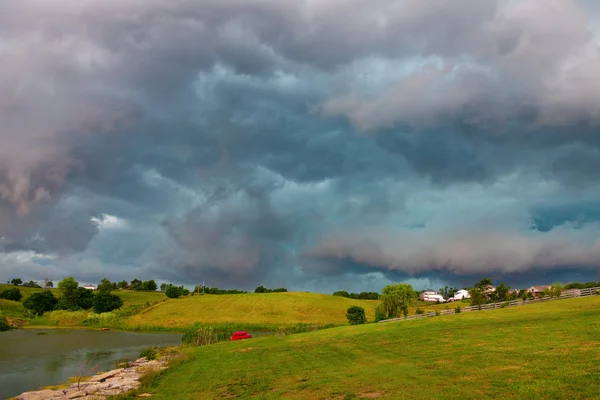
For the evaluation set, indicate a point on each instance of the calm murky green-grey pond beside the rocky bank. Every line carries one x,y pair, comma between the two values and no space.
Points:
32,358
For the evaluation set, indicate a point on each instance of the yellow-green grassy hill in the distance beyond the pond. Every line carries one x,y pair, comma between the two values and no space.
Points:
253,308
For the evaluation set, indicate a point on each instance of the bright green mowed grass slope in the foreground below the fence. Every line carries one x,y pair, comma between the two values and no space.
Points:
542,351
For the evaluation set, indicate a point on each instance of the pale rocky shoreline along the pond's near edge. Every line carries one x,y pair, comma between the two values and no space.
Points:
98,387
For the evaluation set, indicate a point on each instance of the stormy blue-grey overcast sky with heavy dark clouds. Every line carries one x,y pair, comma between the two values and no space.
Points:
317,144
